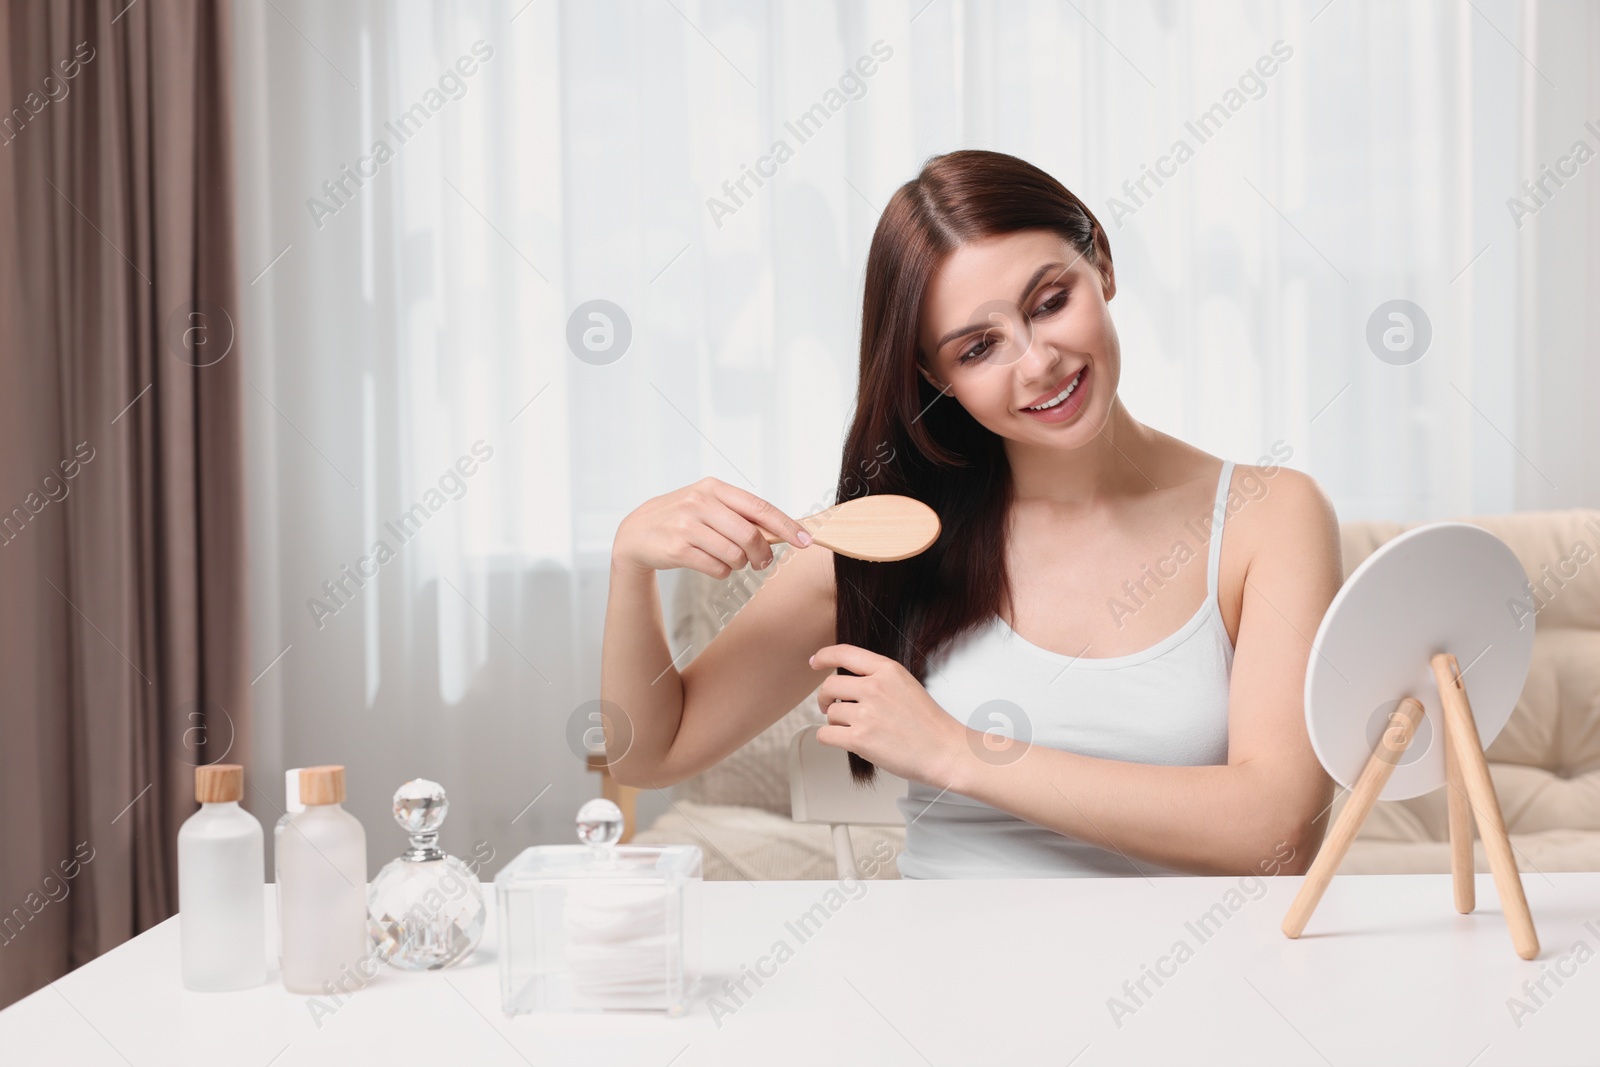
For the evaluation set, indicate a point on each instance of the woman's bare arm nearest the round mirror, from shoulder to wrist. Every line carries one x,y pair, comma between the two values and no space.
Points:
1273,791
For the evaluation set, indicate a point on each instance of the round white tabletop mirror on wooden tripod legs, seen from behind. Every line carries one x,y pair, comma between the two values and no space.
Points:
1386,701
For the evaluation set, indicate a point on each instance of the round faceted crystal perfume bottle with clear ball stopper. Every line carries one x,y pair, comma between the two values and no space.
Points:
425,909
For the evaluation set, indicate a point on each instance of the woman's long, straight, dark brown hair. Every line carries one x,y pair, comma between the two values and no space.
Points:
937,452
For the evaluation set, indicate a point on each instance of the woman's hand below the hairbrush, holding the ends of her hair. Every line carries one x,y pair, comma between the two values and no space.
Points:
886,716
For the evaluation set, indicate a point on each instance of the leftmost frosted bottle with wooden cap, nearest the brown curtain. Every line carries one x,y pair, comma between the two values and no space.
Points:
222,929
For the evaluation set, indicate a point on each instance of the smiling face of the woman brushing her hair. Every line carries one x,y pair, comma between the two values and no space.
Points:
1015,321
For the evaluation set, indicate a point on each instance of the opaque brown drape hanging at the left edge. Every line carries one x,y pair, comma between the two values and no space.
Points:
122,645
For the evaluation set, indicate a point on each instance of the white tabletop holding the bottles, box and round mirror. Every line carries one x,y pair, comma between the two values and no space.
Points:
956,973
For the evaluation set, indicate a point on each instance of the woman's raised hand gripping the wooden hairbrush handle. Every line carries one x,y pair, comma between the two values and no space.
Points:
710,527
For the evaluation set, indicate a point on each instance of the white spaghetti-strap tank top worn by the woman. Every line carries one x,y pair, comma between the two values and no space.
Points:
1166,705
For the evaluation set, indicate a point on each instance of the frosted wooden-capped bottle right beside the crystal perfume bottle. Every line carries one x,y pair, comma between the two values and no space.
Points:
322,890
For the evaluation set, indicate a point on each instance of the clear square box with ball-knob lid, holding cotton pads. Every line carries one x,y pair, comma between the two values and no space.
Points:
599,927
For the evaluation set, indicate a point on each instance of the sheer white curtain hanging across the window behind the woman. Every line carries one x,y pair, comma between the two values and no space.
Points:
438,474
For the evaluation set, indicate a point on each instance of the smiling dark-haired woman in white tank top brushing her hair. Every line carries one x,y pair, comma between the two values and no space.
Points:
1082,676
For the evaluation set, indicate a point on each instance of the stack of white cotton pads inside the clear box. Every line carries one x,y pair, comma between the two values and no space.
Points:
622,945
